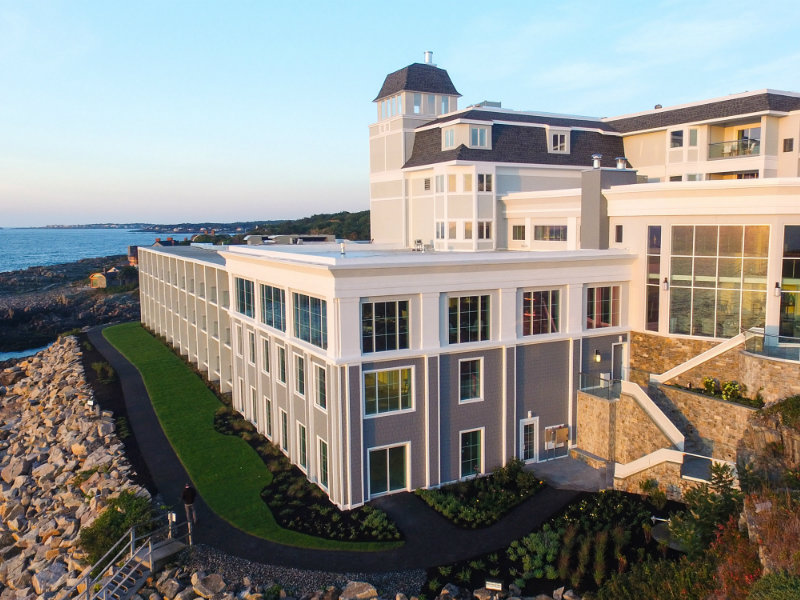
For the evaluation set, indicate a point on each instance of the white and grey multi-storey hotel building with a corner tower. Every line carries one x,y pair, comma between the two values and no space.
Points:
506,265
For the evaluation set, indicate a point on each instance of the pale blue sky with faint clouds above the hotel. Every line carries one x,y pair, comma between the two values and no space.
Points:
186,111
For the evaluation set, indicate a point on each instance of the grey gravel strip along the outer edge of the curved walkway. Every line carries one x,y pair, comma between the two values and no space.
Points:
299,581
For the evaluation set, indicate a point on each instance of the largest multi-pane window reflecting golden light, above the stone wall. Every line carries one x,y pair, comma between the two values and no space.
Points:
718,279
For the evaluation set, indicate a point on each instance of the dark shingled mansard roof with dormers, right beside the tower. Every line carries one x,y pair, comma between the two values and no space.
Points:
512,144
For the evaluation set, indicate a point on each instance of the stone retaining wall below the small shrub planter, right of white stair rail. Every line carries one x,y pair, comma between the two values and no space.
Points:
715,427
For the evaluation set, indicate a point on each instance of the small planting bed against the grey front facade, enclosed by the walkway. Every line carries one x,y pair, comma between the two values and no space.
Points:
482,501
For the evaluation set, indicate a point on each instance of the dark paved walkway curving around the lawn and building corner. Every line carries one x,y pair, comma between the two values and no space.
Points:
430,538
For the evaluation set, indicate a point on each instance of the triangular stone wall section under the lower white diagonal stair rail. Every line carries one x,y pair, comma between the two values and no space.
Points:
635,433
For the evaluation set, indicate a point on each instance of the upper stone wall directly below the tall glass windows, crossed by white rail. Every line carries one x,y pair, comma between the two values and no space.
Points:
774,379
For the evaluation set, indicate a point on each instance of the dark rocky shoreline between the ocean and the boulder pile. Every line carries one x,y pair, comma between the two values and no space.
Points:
39,303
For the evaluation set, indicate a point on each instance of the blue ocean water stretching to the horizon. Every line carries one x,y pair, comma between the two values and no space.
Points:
23,248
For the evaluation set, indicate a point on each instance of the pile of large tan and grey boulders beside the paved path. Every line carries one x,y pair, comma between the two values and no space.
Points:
60,464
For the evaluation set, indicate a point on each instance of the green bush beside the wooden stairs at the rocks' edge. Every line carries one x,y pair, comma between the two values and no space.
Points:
122,513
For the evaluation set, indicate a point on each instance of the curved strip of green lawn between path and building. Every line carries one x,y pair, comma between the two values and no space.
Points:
226,471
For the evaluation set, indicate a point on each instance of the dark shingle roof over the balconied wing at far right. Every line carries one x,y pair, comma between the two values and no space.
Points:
712,110
